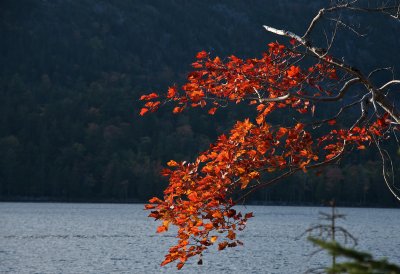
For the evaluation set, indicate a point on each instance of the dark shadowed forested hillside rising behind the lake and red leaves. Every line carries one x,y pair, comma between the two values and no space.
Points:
71,73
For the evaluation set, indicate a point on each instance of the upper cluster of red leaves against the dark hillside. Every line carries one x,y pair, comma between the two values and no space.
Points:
216,82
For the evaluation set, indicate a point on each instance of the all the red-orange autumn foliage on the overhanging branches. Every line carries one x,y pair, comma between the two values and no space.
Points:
199,199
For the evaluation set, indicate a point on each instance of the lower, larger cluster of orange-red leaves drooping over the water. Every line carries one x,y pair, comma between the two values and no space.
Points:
197,199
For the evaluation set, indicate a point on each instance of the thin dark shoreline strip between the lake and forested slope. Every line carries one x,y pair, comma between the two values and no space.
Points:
137,201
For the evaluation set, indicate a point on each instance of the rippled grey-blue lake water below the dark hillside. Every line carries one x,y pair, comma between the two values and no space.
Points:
119,238
